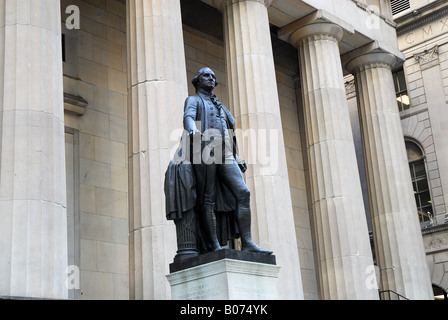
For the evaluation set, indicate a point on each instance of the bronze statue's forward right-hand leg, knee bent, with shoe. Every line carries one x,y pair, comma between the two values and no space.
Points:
233,178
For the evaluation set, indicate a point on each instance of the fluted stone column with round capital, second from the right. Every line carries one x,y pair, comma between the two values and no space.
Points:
343,248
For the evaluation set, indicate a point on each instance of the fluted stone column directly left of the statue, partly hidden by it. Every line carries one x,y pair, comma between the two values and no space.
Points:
157,92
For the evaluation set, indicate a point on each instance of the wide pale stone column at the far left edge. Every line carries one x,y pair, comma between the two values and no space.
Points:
33,214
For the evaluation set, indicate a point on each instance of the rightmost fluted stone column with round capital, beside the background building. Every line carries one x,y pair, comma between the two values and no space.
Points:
399,244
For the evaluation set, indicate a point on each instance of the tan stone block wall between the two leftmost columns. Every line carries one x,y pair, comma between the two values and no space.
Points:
100,78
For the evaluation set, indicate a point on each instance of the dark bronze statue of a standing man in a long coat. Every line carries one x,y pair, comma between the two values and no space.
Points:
205,190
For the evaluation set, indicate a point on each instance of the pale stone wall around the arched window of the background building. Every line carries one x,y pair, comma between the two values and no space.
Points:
425,45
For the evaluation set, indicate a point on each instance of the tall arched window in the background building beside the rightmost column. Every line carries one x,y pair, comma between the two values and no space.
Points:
420,182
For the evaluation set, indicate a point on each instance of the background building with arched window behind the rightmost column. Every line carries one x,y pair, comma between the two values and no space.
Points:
423,38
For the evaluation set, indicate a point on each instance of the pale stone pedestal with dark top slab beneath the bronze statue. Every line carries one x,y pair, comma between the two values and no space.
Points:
225,275
